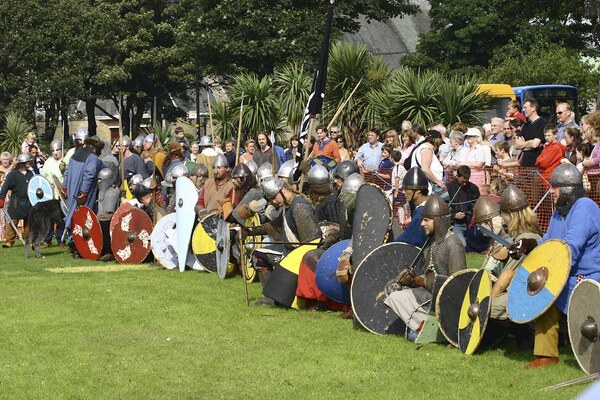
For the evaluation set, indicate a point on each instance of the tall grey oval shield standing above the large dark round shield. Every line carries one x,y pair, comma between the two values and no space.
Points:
372,221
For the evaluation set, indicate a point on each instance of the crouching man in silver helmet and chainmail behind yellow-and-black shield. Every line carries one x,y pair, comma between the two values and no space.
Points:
298,223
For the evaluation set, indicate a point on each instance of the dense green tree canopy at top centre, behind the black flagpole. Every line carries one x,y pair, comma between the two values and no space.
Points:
220,36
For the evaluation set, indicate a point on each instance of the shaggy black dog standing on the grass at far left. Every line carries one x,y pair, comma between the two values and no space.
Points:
42,218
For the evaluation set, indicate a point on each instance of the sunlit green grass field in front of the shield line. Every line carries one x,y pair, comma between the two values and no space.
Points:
78,329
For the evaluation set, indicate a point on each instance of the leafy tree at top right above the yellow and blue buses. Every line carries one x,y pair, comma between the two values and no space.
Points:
465,34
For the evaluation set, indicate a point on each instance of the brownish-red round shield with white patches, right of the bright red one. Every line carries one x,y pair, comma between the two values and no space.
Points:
130,240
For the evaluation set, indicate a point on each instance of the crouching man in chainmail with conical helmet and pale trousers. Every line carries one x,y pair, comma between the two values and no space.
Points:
410,296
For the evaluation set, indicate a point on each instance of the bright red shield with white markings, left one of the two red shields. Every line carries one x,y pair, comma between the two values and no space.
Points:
87,233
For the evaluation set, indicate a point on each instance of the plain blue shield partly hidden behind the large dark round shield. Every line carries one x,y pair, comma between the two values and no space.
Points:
327,281
